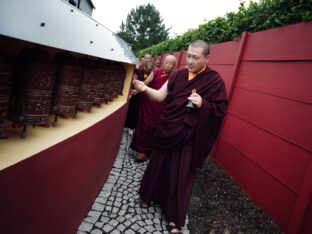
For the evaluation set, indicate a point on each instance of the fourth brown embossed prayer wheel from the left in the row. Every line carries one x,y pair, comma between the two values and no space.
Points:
87,90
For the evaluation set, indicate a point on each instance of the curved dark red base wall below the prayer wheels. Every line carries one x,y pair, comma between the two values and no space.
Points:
52,191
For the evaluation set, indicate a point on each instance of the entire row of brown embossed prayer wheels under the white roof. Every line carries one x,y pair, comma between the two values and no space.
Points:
33,86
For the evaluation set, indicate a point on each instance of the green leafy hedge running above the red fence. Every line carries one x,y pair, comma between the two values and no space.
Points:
256,17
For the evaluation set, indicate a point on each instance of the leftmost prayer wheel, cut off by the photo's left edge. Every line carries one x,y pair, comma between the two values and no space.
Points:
6,80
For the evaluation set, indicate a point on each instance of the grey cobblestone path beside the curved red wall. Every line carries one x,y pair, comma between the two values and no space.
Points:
116,209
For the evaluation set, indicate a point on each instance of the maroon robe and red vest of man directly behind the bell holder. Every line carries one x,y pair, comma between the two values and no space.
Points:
148,118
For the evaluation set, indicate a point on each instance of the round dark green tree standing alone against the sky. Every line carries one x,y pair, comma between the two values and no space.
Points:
143,28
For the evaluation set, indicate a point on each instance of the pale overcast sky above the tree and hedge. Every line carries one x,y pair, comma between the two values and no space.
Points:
179,15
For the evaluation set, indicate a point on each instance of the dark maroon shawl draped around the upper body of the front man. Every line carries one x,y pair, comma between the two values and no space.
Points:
179,125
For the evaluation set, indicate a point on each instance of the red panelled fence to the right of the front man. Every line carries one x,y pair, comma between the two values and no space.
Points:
265,143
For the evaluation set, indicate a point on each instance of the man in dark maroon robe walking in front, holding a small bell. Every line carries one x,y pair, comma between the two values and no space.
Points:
185,135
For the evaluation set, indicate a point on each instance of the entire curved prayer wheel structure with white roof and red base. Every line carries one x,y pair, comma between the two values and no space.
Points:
64,83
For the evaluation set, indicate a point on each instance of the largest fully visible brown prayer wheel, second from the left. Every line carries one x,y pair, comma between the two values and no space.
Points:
33,88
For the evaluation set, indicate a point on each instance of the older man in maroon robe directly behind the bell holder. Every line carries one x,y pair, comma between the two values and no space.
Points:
150,111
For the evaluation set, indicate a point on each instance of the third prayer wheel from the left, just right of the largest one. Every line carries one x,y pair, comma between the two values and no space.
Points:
68,79
